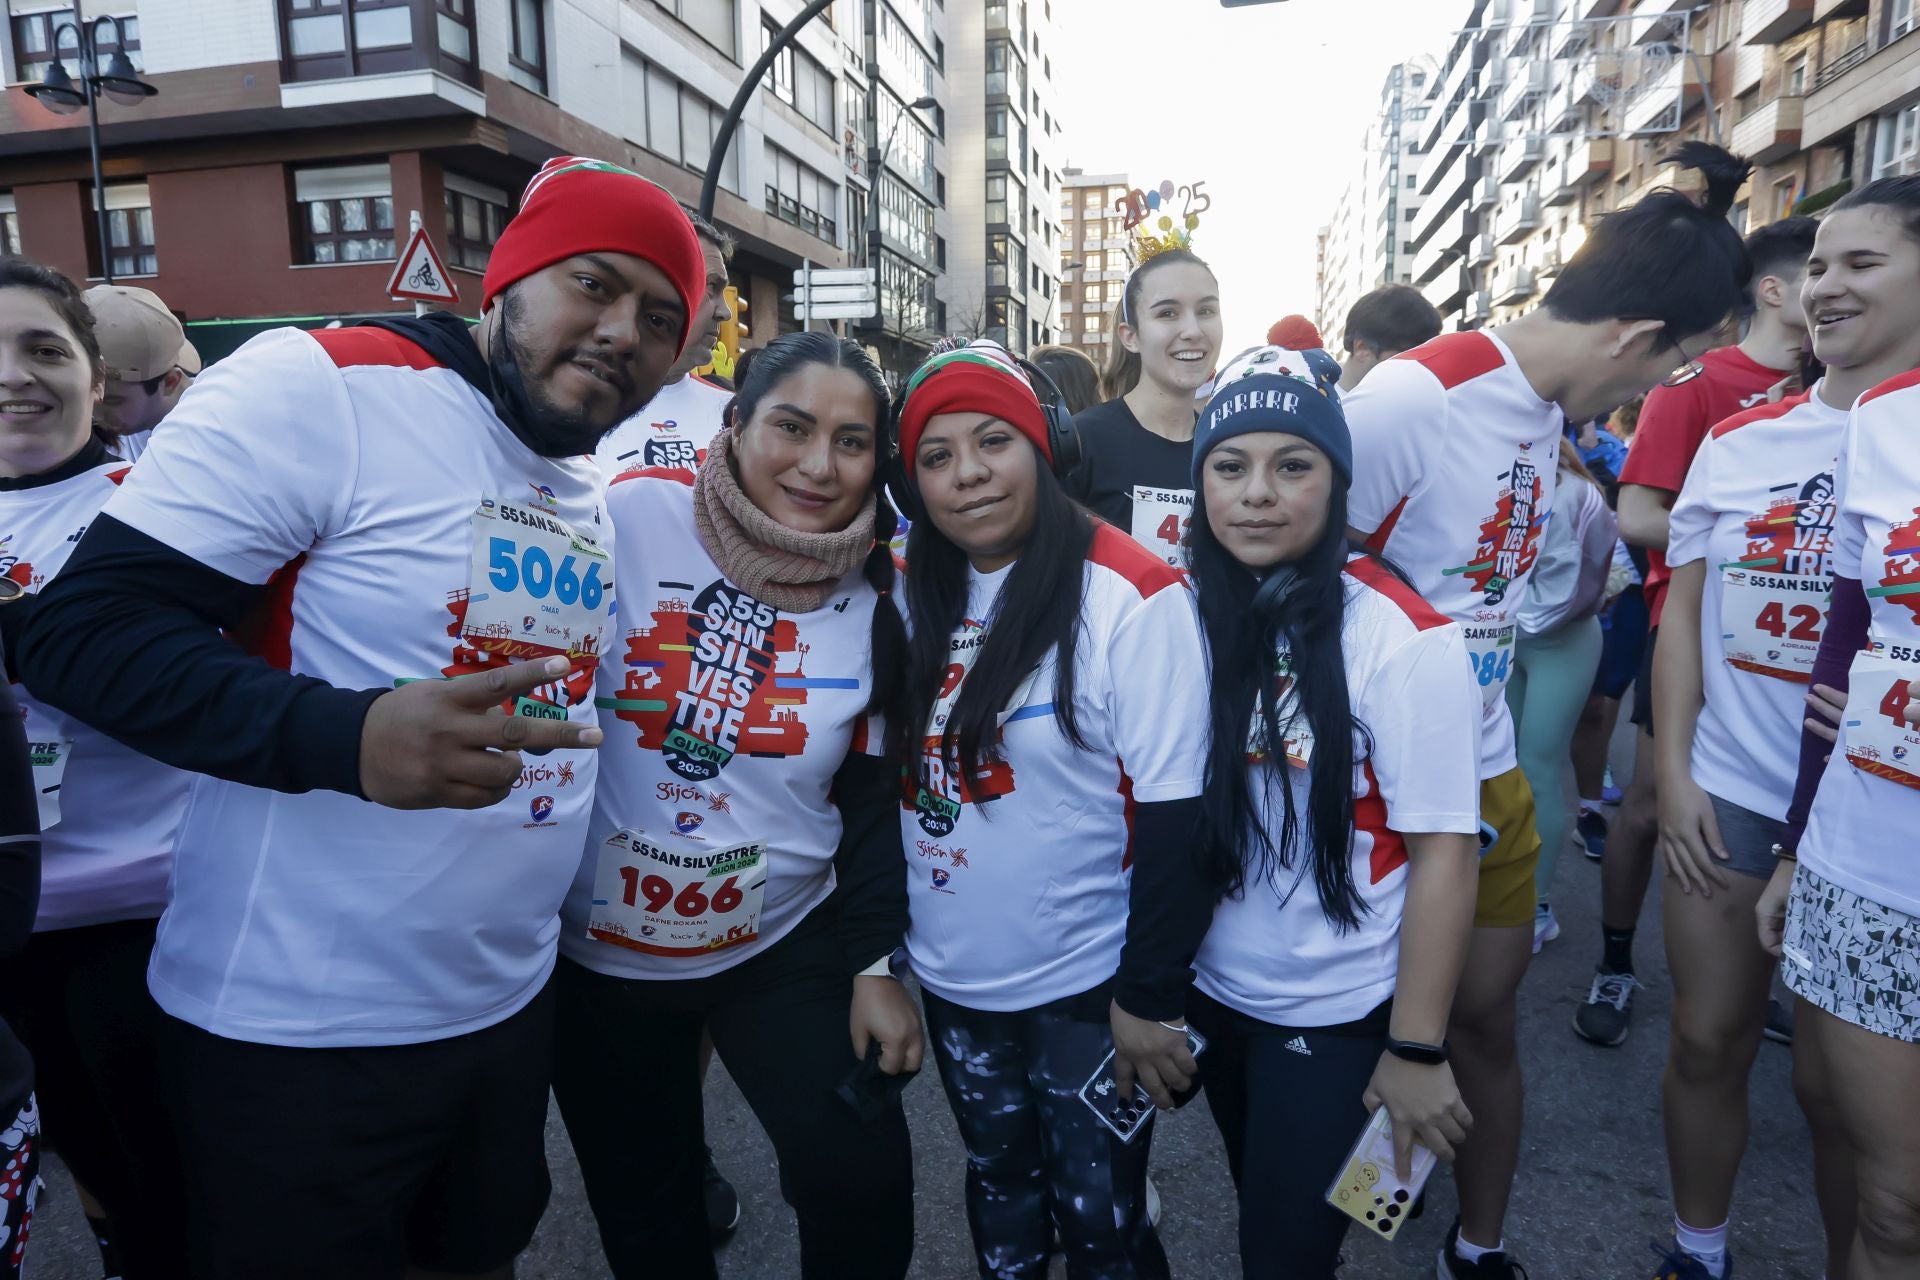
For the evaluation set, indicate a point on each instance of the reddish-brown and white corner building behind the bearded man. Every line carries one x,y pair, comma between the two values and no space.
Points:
274,174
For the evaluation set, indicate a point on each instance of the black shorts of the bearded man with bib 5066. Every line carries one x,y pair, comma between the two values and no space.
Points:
333,1164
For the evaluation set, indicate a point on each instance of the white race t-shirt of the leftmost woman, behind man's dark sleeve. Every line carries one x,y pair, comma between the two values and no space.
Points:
108,815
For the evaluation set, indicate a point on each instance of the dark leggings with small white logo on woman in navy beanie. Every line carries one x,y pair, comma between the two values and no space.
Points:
1289,1108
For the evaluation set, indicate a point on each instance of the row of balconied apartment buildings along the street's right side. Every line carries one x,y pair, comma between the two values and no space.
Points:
1548,114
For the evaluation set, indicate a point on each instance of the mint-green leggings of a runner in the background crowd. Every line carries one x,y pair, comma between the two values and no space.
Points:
1552,678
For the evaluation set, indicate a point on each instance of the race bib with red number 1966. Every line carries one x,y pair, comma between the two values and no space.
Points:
677,899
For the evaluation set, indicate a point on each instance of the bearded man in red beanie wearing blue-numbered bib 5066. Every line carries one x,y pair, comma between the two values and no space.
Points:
404,531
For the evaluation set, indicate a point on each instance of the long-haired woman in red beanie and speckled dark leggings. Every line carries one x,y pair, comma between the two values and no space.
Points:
1053,723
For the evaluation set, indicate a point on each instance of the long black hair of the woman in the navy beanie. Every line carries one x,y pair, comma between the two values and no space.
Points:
1245,621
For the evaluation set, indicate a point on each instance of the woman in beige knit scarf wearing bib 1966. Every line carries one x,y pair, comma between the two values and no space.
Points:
744,870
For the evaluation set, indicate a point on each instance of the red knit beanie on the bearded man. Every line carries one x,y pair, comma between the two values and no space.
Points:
588,206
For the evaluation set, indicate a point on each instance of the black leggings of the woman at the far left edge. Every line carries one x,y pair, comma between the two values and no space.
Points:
84,1012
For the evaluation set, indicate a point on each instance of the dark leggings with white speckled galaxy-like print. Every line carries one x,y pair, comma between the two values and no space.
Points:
1038,1158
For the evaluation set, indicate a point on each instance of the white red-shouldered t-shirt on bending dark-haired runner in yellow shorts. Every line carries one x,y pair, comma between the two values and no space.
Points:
1454,467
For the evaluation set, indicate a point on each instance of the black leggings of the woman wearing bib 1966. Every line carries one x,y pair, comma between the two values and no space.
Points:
629,1081
